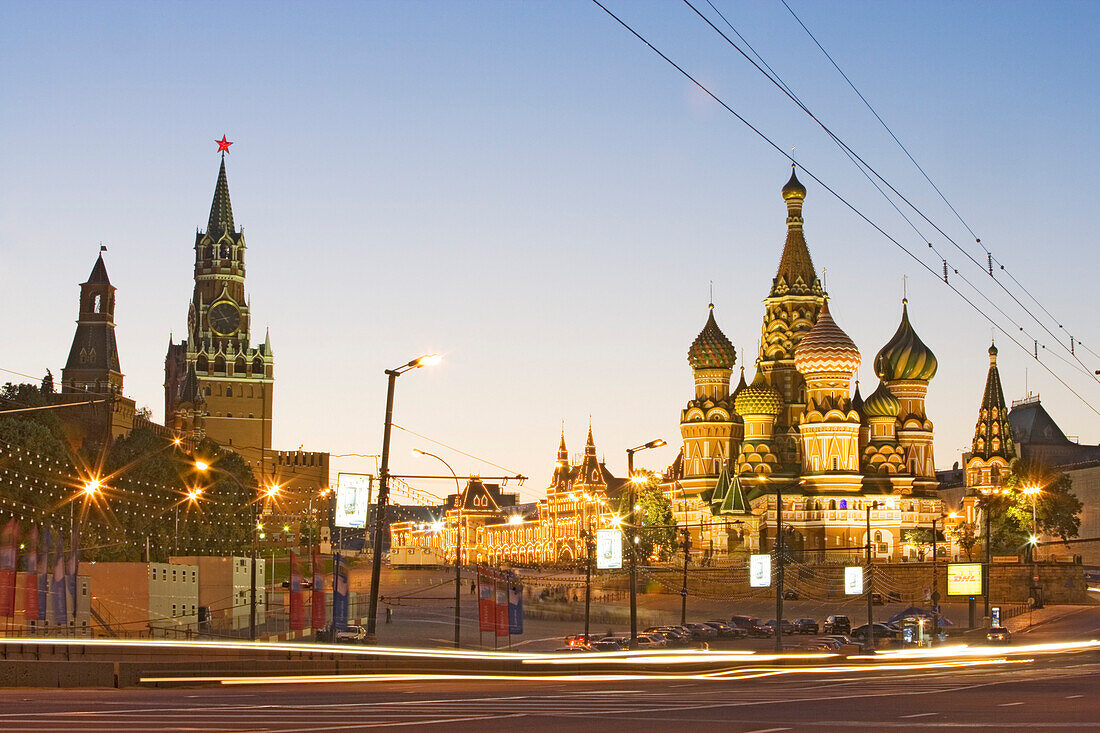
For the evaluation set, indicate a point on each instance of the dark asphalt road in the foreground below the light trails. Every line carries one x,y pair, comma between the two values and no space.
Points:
1051,694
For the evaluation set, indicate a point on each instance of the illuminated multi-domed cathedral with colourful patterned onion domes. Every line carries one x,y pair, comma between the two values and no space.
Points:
799,430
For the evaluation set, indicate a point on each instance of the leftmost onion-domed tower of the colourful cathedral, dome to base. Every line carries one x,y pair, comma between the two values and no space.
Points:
710,428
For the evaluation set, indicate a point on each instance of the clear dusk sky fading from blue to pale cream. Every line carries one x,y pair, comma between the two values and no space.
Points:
530,191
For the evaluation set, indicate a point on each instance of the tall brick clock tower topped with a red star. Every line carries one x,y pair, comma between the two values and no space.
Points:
234,378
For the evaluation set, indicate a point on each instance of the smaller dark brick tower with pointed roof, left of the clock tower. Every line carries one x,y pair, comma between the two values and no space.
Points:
93,364
